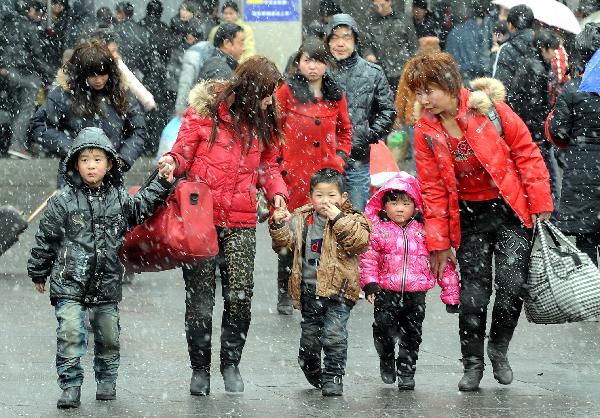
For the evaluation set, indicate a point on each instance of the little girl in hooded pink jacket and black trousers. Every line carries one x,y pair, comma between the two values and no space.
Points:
395,275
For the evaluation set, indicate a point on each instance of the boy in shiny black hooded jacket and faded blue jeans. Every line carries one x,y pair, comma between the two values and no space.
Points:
77,248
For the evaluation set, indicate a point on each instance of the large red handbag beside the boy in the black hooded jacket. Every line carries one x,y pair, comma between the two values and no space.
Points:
180,232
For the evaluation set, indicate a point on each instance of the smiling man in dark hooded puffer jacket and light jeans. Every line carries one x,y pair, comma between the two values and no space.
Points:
370,103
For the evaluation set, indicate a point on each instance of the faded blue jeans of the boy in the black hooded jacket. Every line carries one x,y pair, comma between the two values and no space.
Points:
72,339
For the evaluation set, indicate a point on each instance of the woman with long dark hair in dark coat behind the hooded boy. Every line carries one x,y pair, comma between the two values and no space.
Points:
90,92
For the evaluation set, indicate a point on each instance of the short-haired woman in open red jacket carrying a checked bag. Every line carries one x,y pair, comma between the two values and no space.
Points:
484,183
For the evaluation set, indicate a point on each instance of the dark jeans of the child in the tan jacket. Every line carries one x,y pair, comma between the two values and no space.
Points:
323,329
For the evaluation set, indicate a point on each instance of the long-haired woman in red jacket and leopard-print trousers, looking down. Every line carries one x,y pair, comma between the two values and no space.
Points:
234,159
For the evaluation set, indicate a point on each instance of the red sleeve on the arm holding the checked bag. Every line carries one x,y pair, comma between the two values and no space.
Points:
528,159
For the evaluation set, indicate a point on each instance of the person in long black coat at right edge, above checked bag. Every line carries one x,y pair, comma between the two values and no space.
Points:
574,126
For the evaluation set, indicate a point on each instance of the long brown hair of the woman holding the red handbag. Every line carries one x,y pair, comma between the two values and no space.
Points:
253,81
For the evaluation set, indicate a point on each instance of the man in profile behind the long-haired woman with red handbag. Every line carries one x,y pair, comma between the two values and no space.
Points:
229,47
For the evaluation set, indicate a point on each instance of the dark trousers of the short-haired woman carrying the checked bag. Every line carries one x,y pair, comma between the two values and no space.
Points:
490,228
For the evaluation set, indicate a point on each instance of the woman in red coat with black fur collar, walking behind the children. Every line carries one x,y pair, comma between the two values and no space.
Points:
318,134
